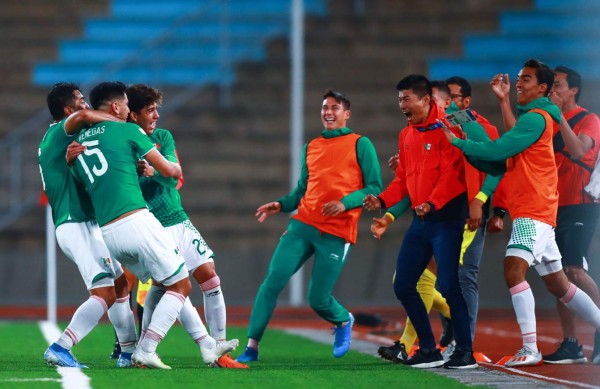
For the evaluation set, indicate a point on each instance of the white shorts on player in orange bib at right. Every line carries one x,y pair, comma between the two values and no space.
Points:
534,242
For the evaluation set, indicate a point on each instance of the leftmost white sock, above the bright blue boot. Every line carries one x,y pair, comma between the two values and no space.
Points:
86,317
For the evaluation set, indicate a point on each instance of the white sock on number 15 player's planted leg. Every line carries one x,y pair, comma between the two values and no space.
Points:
164,315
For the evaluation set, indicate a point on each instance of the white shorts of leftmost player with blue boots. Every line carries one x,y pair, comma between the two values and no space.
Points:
82,243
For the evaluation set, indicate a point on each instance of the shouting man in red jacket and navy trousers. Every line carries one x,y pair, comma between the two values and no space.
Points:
432,174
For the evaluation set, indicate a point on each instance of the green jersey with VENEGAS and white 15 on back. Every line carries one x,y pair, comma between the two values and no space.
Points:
107,167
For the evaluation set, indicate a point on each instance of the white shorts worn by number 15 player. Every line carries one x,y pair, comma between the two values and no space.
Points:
143,245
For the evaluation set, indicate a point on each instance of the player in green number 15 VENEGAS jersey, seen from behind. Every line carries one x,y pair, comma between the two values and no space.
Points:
107,168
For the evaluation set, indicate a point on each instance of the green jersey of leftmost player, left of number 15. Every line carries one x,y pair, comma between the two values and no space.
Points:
68,199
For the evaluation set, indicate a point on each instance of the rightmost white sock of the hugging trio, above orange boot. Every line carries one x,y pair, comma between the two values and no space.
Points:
214,308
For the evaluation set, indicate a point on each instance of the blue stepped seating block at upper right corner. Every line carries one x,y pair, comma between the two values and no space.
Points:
555,31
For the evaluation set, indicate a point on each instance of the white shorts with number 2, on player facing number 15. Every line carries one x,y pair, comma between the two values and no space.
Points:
194,249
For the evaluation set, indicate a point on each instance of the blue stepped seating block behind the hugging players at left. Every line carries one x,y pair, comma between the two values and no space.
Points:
171,42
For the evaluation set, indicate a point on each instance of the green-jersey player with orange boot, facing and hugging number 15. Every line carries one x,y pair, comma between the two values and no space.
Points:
163,199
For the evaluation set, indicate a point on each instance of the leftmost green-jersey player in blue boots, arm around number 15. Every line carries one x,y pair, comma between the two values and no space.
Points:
78,233
